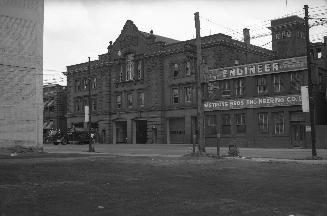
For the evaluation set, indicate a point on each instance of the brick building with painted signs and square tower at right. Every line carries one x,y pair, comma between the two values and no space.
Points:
260,105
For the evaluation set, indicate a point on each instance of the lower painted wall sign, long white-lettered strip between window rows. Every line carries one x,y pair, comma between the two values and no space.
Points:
242,103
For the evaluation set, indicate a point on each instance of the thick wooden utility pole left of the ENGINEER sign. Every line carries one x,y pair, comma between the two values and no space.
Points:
200,110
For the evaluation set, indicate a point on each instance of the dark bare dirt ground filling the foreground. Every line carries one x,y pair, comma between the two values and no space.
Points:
112,185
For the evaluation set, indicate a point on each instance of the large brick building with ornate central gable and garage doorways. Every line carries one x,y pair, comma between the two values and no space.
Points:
144,87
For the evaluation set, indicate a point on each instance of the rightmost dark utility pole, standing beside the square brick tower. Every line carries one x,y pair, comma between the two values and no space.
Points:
310,85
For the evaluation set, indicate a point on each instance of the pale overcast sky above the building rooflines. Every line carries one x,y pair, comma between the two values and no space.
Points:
77,29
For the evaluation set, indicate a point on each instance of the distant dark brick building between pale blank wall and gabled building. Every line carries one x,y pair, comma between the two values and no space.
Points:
55,108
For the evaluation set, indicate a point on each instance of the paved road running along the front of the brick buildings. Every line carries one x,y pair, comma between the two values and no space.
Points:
171,150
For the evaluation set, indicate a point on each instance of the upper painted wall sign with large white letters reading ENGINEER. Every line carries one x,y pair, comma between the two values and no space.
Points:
268,67
